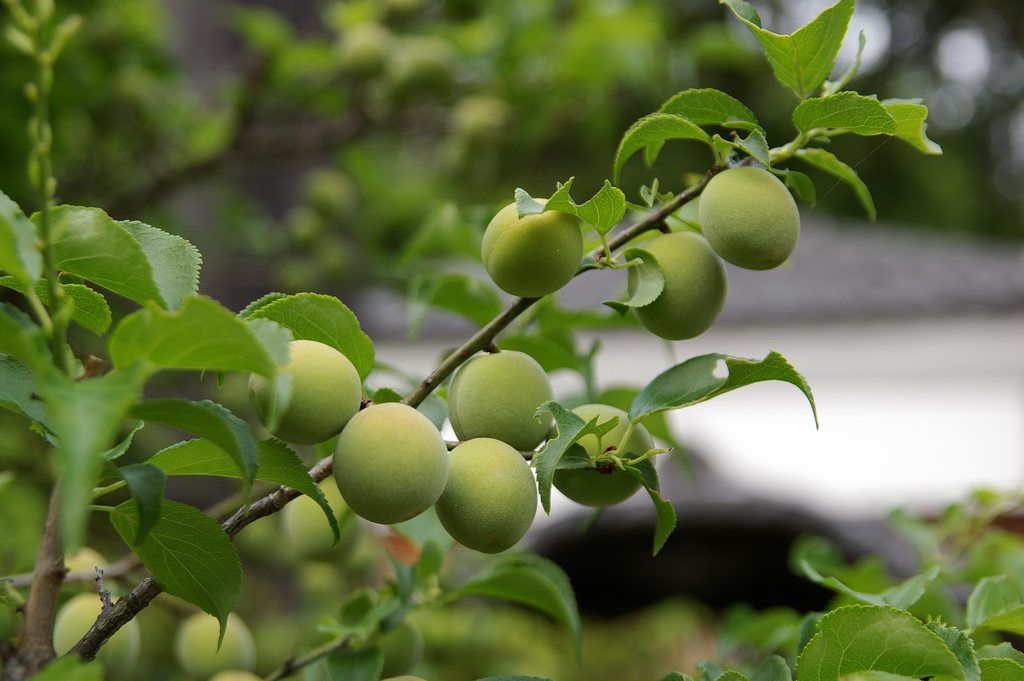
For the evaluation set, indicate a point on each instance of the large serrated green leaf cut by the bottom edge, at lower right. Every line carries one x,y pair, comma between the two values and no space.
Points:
869,639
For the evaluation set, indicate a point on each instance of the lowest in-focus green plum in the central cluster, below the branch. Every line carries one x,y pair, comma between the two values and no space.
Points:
491,498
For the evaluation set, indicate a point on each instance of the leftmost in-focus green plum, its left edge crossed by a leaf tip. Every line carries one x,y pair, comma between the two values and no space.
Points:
326,393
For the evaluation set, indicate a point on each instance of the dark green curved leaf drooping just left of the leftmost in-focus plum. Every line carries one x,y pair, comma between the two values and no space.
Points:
211,421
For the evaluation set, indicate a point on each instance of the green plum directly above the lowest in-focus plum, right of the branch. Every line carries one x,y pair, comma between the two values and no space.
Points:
497,396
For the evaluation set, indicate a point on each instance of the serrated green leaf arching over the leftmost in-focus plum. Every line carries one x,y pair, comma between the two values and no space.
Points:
323,319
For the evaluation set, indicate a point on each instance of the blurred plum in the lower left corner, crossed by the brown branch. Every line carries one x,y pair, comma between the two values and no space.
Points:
74,620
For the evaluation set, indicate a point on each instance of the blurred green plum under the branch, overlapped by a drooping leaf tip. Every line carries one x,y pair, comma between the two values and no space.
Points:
309,533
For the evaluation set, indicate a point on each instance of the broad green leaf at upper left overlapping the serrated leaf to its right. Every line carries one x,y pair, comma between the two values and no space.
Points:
90,244
